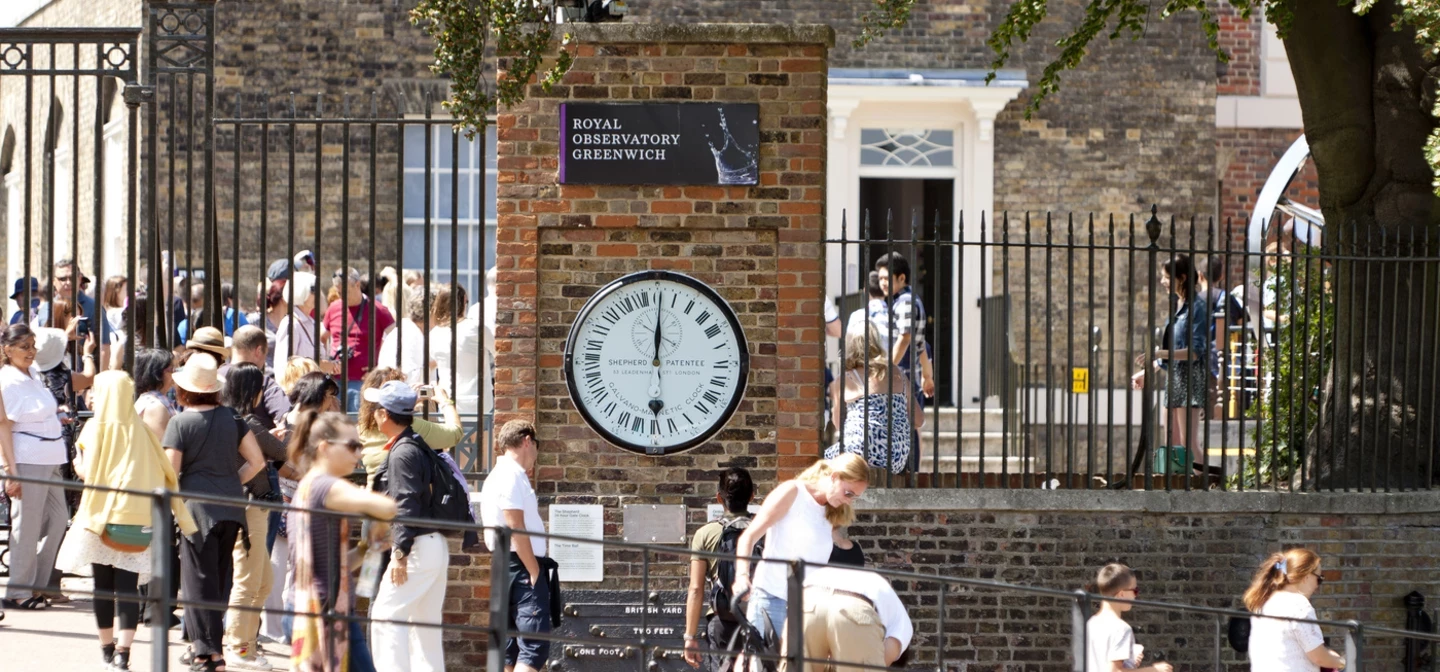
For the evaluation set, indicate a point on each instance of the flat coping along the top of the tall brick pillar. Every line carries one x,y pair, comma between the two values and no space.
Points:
702,34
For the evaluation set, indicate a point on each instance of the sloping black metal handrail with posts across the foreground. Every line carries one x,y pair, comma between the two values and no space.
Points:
656,648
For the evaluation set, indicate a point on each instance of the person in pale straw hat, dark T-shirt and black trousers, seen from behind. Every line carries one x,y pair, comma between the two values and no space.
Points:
204,444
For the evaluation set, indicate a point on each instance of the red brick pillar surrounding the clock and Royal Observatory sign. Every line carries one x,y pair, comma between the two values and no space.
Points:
760,247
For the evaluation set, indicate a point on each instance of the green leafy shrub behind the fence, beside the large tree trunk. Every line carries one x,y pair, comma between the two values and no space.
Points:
1300,362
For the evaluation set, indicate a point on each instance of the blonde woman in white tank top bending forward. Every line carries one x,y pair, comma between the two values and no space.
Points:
798,517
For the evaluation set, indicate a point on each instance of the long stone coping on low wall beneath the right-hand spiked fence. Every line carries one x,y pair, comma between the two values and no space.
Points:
1151,503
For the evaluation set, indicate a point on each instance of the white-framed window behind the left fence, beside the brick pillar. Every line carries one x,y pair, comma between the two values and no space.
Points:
450,173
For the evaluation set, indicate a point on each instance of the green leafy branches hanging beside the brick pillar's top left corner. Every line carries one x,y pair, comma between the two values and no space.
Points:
523,34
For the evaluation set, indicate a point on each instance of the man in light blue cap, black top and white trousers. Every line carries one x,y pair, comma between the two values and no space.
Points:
414,588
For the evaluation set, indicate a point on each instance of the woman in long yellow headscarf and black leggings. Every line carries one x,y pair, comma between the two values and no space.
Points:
112,532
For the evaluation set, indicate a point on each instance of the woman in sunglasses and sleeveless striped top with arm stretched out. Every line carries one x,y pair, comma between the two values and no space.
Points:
328,448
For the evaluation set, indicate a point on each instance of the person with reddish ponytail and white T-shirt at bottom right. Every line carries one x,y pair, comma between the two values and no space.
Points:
1284,586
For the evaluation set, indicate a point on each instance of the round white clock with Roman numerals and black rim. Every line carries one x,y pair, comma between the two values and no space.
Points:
657,363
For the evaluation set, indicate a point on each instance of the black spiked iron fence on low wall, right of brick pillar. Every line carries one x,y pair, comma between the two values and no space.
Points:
1321,356
